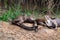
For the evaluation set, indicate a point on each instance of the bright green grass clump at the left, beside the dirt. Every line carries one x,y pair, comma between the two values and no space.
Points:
10,14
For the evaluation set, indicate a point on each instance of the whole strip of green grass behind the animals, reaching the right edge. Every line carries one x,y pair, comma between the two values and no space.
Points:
14,12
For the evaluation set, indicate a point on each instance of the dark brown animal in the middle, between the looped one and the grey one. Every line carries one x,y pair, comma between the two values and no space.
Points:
39,21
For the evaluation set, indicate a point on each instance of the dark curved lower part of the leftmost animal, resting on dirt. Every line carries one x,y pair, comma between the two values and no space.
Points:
26,27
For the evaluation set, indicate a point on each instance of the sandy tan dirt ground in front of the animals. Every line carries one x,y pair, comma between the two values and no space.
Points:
12,32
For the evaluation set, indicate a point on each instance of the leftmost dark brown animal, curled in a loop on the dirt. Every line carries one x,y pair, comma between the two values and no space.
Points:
24,19
